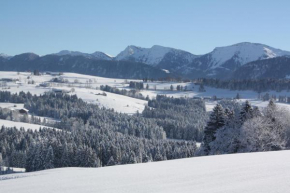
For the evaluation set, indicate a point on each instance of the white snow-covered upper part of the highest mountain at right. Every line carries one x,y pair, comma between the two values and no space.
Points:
243,53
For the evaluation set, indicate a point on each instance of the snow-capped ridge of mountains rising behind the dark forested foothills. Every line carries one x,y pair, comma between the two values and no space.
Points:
221,62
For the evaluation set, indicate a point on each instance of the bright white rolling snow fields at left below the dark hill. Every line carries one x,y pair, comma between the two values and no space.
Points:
117,102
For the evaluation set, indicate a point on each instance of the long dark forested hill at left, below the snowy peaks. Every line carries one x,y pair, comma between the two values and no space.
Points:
81,64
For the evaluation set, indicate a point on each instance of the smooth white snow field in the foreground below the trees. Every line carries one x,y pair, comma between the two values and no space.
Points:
236,173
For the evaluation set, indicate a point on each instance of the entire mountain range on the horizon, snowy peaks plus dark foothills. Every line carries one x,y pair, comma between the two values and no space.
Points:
223,62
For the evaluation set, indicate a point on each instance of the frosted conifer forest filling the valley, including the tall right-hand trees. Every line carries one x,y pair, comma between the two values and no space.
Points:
86,135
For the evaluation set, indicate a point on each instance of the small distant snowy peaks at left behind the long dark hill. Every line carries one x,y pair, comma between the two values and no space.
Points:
95,55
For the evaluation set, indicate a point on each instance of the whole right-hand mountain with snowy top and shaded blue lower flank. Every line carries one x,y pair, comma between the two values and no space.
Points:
223,61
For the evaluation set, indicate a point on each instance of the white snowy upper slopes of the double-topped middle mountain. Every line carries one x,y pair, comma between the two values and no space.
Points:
152,56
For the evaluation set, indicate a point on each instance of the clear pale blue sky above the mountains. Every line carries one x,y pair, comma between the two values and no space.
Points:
197,26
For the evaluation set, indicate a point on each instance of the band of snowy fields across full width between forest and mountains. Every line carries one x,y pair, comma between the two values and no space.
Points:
87,88
